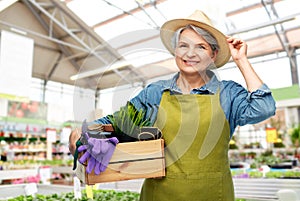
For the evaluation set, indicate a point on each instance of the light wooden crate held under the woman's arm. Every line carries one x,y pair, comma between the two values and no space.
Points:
131,160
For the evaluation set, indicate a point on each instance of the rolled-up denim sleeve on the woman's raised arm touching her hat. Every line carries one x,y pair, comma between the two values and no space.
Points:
242,107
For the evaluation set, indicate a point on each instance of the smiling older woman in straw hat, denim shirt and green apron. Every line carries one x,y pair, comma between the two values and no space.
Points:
197,113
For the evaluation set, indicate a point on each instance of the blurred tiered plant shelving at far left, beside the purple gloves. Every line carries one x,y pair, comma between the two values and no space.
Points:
26,132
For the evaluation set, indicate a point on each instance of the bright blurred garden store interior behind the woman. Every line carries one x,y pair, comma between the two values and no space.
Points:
64,61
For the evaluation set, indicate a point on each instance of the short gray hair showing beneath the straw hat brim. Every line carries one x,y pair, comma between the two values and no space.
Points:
206,35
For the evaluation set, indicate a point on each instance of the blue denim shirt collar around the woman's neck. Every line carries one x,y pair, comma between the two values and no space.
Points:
211,87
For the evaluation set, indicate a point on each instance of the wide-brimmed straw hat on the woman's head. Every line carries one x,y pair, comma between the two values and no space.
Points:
199,19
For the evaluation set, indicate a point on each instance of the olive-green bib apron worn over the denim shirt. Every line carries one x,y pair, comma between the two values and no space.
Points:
196,135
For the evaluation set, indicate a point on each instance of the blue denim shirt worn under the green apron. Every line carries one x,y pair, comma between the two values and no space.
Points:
240,106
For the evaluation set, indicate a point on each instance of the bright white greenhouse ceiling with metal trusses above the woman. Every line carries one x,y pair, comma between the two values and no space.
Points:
106,43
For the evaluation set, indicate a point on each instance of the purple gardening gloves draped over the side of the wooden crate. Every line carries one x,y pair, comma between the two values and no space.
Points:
98,153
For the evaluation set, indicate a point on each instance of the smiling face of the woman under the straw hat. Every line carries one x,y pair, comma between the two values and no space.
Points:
192,53
